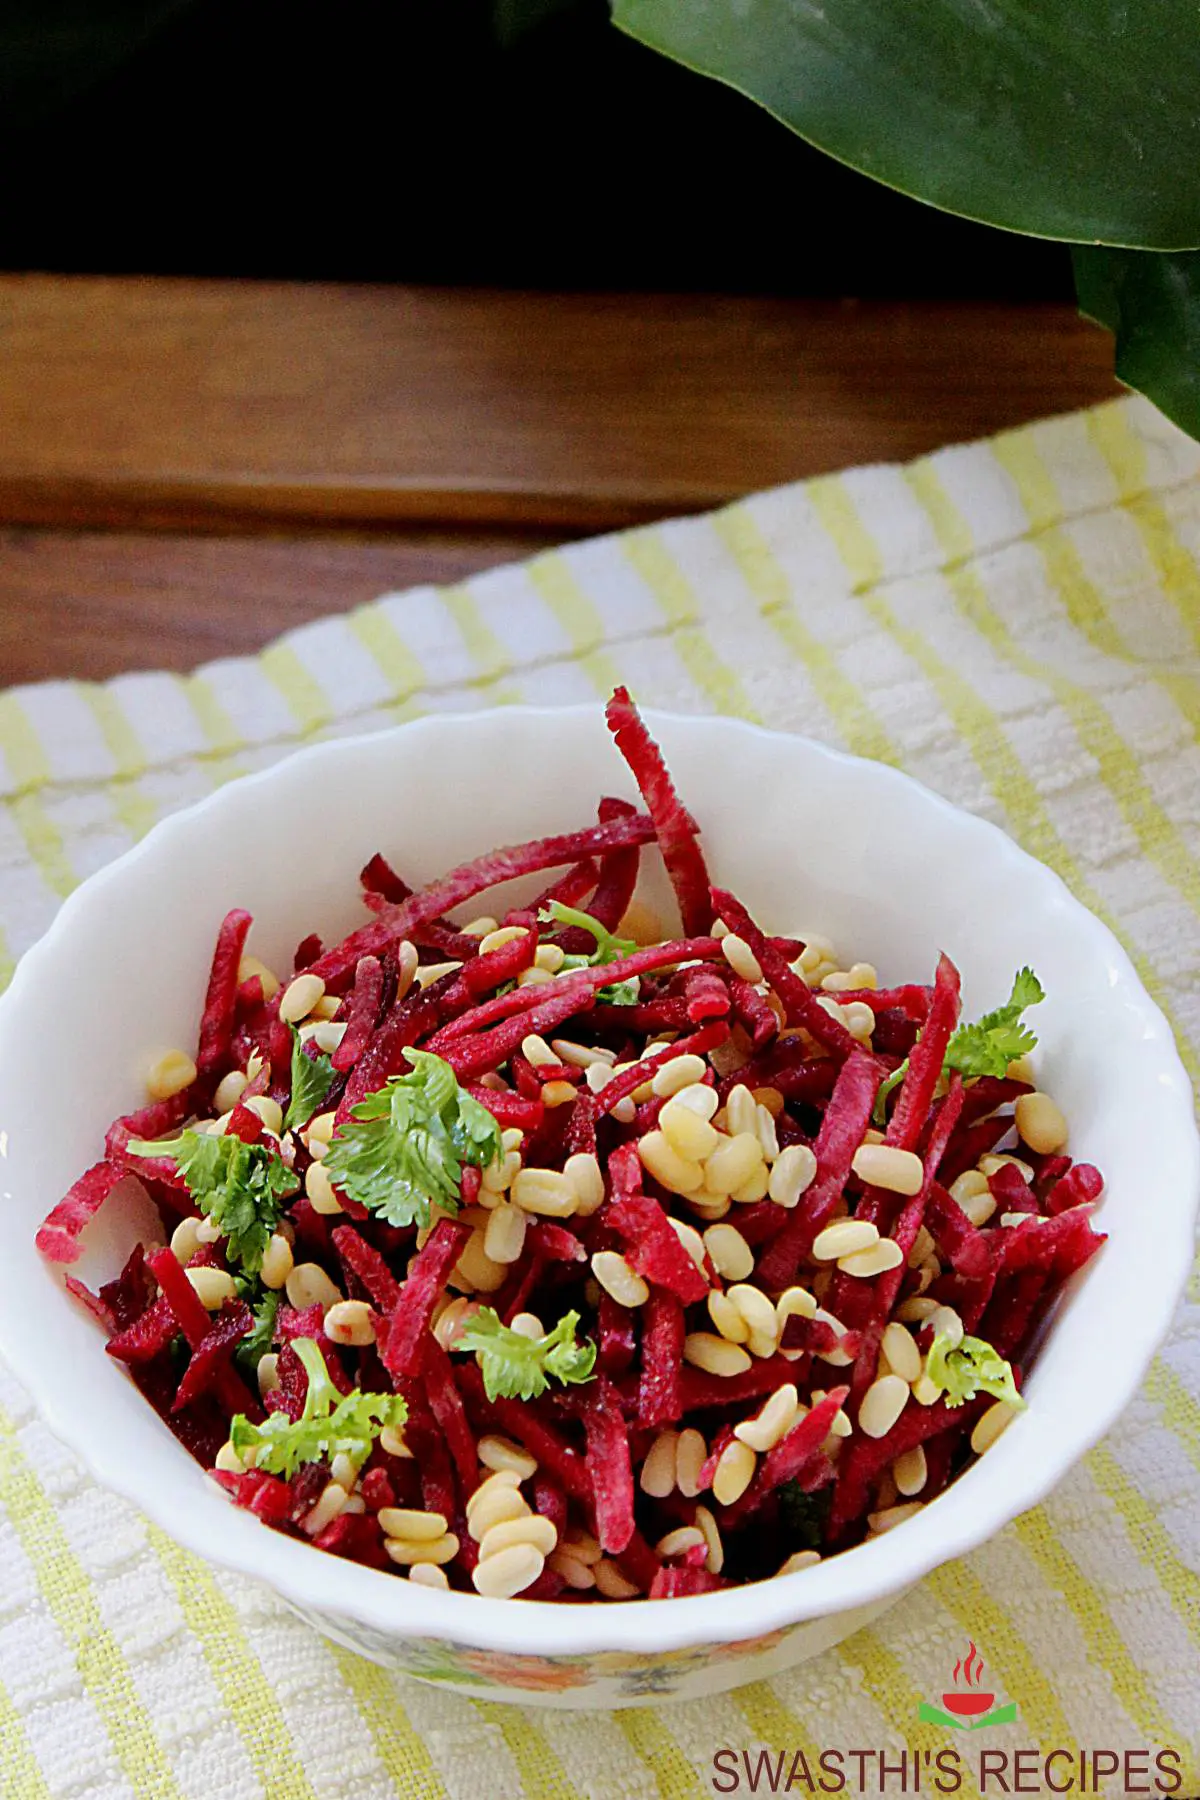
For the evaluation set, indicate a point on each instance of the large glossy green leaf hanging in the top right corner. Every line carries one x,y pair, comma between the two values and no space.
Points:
1066,120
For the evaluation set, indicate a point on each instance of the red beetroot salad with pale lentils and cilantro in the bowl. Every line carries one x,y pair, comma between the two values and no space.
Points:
548,1255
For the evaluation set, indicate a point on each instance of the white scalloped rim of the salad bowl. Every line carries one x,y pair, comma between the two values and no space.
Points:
886,1567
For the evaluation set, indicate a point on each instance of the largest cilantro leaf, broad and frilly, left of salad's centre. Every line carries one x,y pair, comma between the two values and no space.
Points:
406,1146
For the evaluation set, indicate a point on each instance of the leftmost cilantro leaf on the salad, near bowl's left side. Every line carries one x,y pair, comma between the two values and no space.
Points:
242,1187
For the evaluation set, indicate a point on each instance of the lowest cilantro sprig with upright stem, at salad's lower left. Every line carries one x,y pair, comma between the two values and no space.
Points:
330,1425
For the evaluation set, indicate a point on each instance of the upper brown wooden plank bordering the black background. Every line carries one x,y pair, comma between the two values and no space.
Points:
199,406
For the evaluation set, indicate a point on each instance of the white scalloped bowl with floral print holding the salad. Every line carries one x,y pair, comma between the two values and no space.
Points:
812,841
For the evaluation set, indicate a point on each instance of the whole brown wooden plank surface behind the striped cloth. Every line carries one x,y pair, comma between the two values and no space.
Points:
188,469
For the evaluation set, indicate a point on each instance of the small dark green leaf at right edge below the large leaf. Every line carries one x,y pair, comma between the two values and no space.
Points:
1152,307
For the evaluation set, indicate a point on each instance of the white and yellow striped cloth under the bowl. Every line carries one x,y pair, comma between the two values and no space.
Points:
1017,624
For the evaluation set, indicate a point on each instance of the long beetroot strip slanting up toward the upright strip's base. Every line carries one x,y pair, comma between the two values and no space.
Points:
472,879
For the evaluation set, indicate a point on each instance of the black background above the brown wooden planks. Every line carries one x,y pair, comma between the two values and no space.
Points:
404,141
